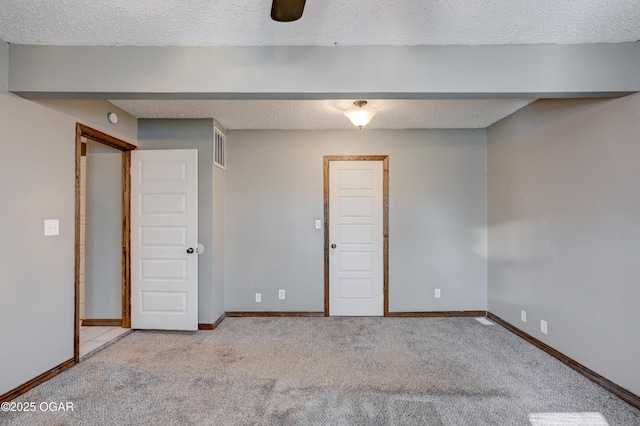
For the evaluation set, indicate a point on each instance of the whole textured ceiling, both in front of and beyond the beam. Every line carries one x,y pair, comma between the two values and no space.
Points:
324,23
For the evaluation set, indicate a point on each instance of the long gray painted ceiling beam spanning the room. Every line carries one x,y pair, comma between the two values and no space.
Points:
322,72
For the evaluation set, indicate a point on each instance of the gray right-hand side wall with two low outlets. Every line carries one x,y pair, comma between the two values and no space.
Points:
563,229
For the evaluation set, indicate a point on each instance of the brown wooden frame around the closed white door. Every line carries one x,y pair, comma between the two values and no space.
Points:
385,222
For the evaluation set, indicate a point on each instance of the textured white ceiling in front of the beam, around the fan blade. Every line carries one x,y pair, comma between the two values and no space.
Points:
324,22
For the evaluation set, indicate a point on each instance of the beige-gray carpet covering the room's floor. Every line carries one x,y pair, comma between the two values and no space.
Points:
325,371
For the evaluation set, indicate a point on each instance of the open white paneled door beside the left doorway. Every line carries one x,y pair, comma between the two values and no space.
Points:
164,239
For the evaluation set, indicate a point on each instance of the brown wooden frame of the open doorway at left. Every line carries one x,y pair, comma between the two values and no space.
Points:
126,148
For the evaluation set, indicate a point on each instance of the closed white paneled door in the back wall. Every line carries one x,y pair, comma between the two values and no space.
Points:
356,239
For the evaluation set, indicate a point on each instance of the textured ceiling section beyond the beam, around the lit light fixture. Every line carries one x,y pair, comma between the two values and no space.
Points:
328,114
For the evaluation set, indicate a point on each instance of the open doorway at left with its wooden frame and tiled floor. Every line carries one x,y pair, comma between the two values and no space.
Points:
102,268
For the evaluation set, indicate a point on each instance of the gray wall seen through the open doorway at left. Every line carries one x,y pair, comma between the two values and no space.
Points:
103,237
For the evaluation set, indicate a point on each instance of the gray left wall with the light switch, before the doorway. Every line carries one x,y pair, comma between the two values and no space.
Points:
36,183
